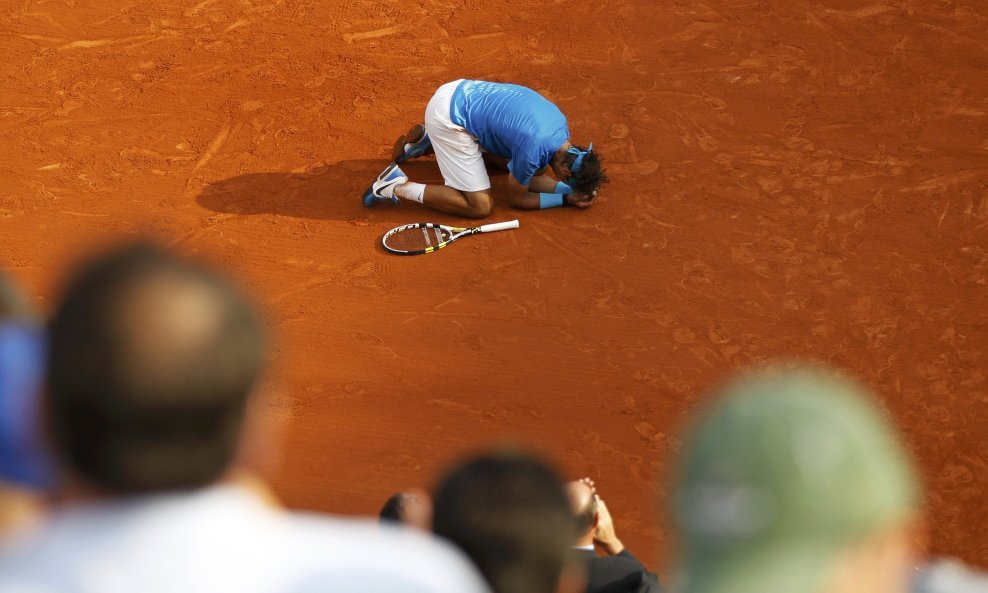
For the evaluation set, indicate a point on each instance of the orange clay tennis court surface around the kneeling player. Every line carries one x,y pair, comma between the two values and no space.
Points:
801,178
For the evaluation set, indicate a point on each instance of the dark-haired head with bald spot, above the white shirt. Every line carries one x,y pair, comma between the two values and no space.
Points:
151,362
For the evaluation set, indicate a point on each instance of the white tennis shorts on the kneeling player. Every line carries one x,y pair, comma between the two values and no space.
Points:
457,152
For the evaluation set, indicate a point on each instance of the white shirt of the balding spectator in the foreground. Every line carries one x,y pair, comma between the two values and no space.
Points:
224,540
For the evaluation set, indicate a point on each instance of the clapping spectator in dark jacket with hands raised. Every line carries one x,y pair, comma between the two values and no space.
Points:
617,572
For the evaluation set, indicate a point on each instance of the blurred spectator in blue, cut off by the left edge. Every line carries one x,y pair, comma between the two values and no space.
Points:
25,467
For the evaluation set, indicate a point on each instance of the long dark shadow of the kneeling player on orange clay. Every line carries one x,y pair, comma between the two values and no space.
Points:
322,191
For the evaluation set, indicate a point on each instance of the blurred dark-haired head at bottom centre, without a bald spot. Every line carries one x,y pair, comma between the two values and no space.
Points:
509,513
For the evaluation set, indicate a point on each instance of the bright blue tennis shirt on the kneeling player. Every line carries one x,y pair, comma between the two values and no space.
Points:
510,121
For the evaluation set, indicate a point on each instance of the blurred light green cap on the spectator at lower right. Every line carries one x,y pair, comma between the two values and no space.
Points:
787,469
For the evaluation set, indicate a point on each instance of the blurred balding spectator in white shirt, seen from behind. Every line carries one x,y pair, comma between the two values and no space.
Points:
151,363
